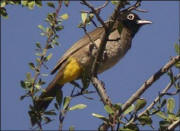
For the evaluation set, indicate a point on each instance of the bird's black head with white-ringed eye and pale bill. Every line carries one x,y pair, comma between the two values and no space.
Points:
133,22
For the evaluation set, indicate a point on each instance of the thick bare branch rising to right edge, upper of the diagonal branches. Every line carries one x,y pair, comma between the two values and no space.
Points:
149,82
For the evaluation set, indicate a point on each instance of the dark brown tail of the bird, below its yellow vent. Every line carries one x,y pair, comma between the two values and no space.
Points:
47,96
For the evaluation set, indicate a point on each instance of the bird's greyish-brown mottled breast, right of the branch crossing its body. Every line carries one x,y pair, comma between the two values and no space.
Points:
116,48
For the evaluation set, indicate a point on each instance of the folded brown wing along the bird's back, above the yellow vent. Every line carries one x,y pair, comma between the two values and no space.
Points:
95,34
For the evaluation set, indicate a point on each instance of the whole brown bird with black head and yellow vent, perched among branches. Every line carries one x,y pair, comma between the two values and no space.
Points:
80,56
